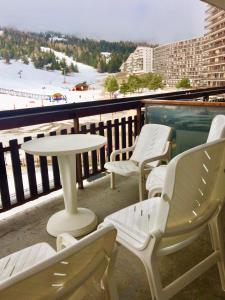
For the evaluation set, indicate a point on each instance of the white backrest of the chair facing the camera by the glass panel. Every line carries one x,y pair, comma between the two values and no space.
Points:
151,142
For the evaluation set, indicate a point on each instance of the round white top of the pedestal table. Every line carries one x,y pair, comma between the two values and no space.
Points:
64,144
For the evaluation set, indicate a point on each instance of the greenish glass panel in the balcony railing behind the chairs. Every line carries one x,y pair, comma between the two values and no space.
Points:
190,123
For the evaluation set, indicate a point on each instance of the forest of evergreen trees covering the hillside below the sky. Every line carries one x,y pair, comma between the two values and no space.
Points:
15,44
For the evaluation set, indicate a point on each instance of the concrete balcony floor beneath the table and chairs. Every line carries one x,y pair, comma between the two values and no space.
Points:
28,227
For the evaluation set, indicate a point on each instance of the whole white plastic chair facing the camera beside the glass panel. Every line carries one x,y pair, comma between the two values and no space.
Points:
149,149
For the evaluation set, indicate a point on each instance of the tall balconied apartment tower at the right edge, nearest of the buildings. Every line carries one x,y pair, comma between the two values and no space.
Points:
214,47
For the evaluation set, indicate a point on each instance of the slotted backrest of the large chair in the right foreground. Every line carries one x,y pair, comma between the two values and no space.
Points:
194,187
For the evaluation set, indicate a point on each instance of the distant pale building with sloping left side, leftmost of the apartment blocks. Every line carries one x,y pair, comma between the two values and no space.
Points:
140,61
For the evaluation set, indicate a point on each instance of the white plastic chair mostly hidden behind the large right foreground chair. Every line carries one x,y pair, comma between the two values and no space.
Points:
155,179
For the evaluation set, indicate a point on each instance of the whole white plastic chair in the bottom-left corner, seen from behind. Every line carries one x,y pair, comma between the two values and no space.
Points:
39,272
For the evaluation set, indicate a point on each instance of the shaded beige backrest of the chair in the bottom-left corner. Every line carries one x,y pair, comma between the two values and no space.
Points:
71,271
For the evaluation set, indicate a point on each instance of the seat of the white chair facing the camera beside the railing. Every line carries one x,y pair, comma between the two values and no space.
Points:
123,167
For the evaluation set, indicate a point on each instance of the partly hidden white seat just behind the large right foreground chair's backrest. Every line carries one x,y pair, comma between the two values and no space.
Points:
156,179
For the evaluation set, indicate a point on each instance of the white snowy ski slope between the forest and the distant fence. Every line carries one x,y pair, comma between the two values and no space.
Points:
35,79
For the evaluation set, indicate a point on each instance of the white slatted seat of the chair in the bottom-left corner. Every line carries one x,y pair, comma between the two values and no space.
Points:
23,259
